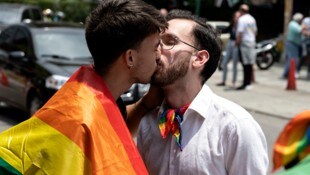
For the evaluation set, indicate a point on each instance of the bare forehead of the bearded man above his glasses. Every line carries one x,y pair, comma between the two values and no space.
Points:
180,27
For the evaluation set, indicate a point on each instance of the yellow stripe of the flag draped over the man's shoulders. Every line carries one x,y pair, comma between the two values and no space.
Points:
42,150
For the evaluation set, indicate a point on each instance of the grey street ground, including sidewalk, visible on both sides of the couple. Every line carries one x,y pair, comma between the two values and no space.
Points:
268,101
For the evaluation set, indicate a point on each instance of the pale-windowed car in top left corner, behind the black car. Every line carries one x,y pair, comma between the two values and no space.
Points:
11,13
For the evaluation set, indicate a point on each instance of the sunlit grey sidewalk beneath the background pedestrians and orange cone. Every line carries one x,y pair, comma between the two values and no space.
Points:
268,94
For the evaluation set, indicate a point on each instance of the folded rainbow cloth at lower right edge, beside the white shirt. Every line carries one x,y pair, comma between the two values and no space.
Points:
293,142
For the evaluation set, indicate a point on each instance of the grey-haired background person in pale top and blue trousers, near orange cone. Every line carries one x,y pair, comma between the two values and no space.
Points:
293,43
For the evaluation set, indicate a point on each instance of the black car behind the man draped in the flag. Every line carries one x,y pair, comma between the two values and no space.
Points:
36,59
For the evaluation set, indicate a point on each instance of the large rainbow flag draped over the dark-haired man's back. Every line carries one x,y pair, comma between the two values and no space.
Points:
80,130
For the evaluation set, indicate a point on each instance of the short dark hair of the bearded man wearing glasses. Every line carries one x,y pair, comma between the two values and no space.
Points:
206,38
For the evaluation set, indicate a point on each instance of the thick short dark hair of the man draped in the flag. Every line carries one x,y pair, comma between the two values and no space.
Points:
115,26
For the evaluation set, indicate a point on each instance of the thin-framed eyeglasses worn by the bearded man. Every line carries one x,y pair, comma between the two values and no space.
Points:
169,41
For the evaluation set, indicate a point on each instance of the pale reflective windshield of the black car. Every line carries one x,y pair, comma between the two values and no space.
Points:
68,44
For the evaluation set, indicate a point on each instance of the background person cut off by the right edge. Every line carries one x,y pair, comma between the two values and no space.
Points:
305,45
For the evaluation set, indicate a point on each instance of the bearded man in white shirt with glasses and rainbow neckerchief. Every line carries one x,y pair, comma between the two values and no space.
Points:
214,135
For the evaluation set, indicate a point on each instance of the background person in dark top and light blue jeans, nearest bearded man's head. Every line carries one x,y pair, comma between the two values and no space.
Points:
231,51
